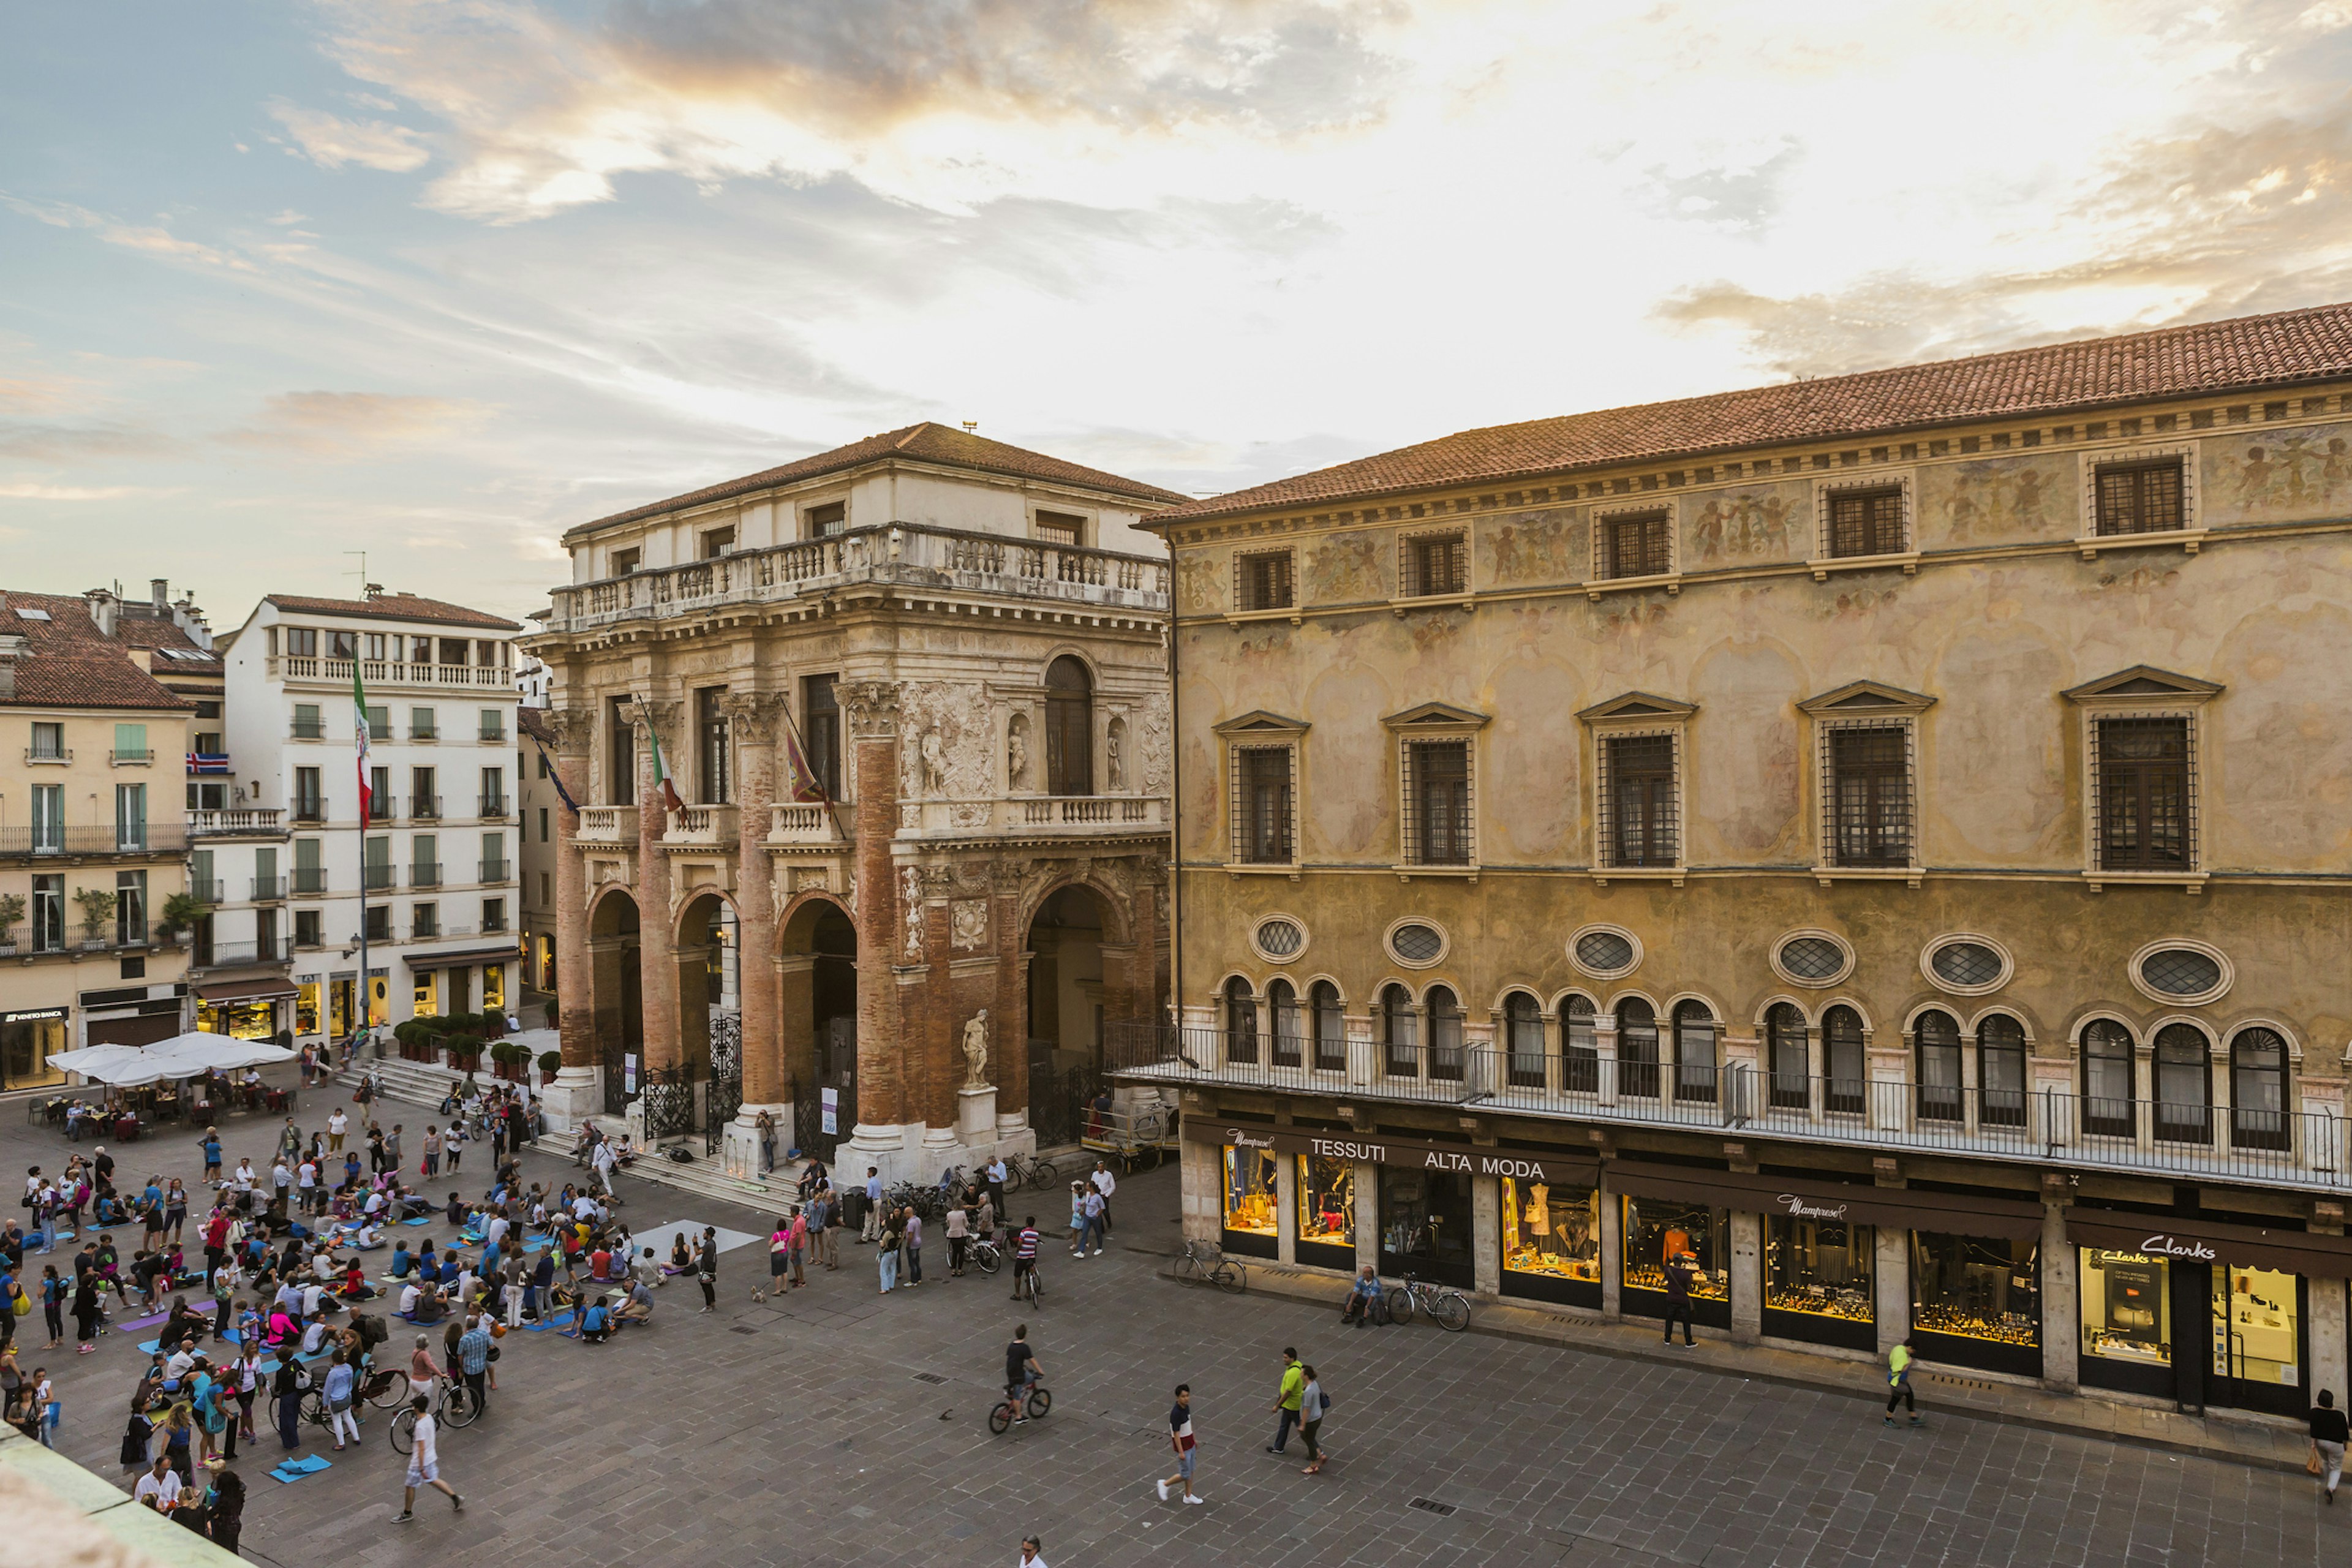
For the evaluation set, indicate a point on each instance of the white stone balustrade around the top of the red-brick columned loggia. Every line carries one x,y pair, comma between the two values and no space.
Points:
900,554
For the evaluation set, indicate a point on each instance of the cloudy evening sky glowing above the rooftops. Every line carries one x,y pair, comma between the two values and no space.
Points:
283,281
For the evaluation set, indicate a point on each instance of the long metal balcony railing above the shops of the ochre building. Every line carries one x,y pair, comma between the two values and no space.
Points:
2031,1125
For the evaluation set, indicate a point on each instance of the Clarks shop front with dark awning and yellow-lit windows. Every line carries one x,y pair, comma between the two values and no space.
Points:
2200,1311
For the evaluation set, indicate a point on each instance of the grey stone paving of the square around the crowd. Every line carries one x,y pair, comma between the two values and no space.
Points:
843,1428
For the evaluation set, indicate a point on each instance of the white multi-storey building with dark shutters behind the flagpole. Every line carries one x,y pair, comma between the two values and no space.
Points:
432,876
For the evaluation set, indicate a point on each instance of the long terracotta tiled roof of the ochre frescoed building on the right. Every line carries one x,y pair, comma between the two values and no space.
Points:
2205,361
